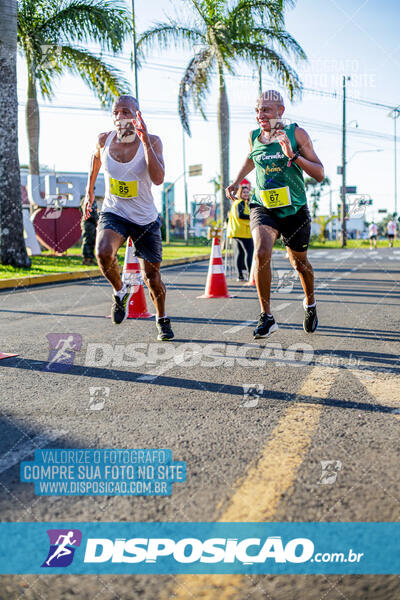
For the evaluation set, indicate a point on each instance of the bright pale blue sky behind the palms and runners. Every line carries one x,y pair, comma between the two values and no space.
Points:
354,37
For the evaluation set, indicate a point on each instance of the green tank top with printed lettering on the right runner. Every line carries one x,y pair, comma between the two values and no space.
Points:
272,171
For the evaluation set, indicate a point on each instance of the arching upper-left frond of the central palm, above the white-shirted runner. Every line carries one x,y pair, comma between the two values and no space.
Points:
163,33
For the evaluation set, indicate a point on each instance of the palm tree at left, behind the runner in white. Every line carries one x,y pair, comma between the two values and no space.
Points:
48,34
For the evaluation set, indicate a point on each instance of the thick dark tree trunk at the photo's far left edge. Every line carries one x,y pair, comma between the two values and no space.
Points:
12,243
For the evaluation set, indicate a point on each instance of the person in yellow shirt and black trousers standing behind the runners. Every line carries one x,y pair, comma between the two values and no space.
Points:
239,230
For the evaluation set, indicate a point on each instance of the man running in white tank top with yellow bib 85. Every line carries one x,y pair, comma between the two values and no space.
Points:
132,160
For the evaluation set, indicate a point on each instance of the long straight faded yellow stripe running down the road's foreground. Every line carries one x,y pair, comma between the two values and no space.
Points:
258,495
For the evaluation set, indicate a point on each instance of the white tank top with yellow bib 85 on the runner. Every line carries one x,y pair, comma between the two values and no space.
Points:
128,186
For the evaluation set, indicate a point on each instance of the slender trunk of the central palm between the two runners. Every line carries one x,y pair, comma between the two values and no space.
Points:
223,133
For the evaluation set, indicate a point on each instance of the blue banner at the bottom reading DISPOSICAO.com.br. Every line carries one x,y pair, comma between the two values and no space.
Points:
200,548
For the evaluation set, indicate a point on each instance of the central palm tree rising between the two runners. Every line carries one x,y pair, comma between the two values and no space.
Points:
224,33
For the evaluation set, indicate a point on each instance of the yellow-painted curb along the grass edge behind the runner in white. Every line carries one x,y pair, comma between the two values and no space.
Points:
31,280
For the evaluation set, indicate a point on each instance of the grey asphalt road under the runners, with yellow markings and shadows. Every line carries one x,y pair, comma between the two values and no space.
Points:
331,396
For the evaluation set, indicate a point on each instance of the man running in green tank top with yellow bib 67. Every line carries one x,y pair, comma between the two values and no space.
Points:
280,154
